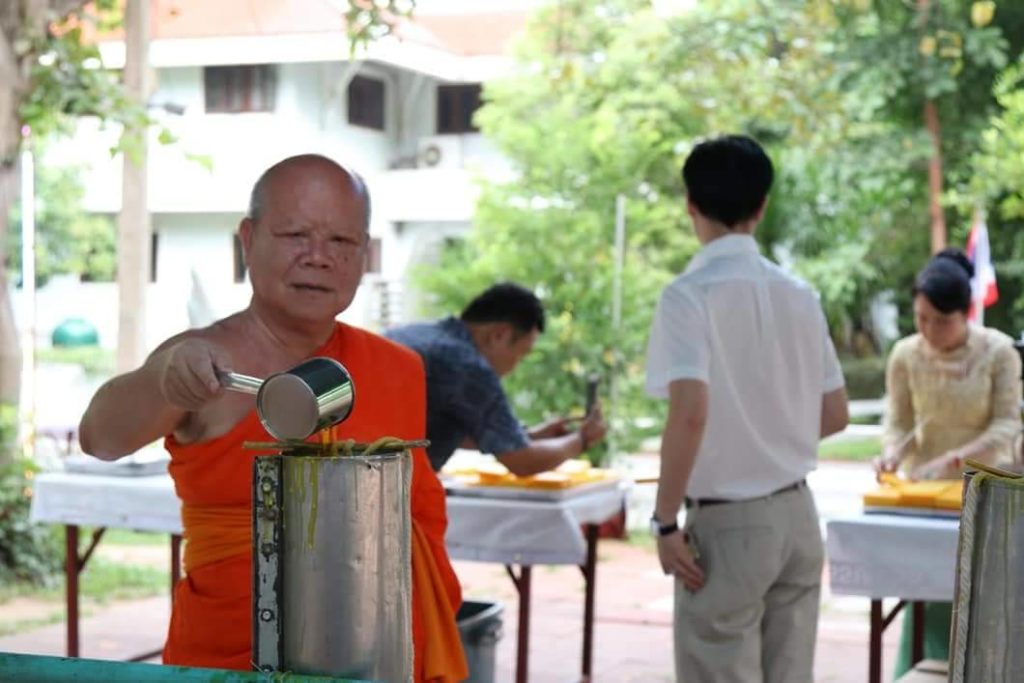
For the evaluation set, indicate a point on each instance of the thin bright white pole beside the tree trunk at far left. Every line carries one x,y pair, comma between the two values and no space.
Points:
28,401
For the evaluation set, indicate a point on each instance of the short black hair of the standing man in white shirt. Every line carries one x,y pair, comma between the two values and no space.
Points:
729,179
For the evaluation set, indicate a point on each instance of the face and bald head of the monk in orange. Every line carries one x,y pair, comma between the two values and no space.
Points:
307,251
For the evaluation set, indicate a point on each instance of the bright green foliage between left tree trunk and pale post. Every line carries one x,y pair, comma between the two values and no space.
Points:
68,239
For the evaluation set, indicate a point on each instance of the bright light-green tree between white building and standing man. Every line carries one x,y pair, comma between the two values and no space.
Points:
611,100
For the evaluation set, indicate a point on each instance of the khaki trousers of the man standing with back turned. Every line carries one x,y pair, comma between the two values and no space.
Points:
755,620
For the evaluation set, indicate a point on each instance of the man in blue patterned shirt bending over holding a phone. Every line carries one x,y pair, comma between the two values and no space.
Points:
465,359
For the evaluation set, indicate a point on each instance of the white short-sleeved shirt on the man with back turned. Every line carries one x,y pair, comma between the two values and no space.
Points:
757,336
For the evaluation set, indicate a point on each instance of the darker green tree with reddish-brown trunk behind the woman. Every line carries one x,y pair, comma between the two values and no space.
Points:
920,77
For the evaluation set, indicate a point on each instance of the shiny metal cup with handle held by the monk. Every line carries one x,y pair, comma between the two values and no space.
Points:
314,396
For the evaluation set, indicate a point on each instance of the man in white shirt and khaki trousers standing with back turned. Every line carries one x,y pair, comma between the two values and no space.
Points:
742,351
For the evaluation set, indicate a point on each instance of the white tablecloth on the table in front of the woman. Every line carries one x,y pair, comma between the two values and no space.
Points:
893,557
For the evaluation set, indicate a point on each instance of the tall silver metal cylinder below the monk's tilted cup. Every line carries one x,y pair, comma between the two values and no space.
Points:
347,588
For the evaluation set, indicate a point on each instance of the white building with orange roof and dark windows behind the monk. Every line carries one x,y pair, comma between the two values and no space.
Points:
245,83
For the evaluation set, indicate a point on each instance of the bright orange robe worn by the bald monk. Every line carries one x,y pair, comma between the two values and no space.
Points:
211,618
